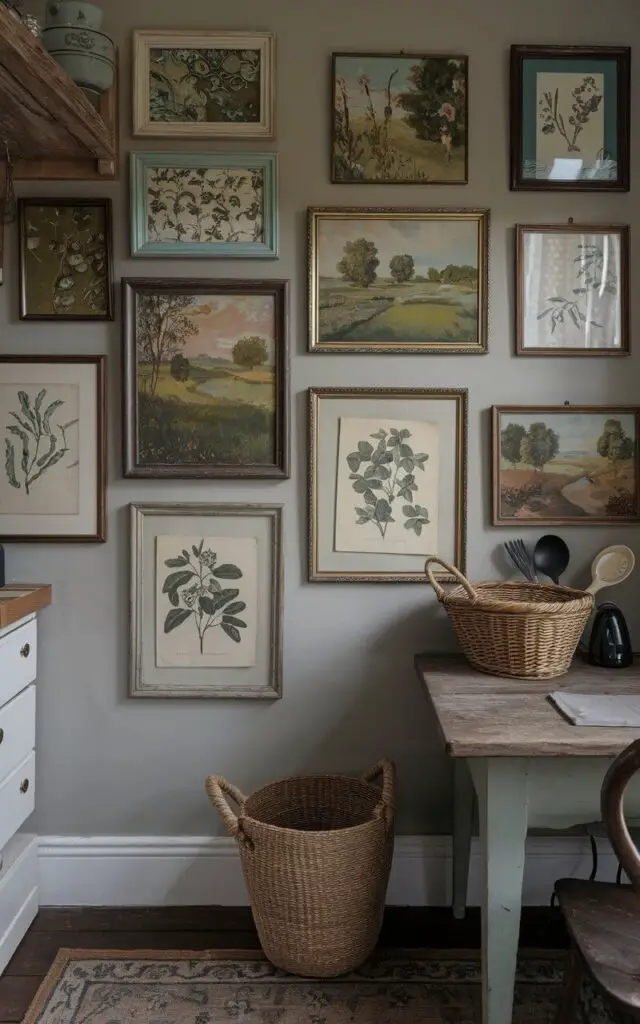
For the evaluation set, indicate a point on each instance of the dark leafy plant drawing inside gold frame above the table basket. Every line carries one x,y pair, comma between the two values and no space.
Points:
382,475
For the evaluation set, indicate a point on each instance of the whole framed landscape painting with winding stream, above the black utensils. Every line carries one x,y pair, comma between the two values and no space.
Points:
576,465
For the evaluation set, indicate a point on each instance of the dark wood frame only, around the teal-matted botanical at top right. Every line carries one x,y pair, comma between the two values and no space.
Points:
622,55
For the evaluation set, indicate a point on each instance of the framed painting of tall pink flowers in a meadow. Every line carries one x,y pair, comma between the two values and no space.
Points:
380,130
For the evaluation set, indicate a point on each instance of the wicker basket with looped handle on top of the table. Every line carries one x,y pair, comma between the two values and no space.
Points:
523,630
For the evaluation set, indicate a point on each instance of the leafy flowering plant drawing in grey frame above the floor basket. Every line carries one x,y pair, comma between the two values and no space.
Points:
195,591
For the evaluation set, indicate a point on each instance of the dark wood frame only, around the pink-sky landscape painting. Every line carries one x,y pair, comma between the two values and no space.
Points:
201,286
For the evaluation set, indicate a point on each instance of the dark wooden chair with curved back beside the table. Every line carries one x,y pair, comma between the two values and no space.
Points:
604,919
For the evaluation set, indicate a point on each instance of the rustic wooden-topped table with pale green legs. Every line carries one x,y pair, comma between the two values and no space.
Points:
529,769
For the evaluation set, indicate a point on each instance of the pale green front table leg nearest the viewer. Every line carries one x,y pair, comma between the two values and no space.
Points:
501,785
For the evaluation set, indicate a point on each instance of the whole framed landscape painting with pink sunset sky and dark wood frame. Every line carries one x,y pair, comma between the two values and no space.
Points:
205,378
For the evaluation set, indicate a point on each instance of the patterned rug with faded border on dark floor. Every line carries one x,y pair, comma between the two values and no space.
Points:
86,988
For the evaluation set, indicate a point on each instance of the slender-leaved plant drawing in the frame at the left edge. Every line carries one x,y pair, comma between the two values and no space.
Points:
44,443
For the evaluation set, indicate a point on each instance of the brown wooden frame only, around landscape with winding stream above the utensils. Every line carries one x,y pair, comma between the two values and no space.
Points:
499,411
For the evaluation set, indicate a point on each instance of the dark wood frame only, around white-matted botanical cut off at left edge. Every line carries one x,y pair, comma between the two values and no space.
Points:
100,362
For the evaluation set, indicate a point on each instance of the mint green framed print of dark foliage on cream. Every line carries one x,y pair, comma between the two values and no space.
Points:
187,204
